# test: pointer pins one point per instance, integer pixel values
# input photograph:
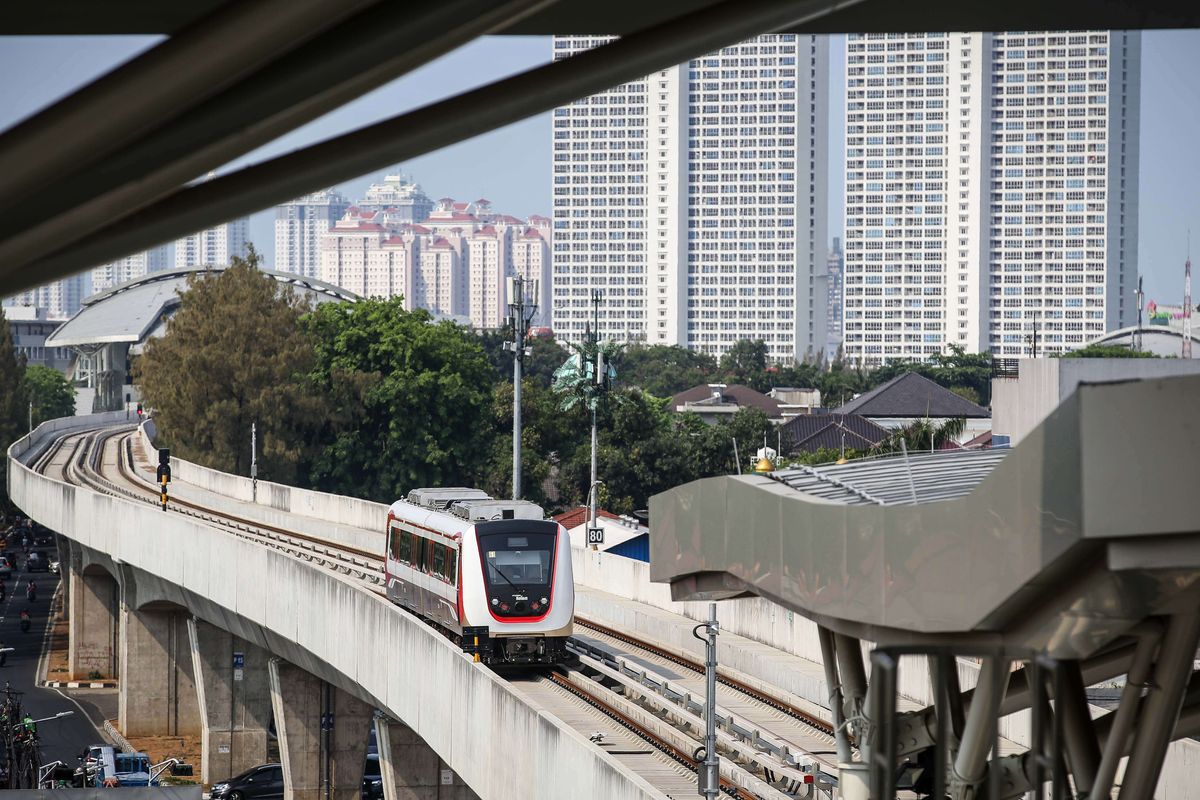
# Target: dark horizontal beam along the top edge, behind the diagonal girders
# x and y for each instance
(623, 17)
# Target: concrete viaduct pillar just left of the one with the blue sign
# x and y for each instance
(158, 691)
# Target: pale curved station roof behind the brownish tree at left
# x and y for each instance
(133, 312)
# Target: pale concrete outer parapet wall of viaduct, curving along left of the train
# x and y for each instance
(343, 633)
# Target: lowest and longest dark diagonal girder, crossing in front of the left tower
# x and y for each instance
(422, 131)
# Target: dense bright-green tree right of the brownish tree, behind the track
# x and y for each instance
(411, 399)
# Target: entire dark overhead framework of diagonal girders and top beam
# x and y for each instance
(123, 151)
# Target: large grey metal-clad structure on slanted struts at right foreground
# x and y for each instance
(1076, 555)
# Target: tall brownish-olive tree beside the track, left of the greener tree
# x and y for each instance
(235, 356)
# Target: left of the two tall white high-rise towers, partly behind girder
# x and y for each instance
(695, 201)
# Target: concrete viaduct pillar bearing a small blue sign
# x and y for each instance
(235, 701)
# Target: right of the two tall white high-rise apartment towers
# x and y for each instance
(992, 191)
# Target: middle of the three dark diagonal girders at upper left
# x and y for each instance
(363, 53)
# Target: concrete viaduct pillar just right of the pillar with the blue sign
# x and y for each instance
(319, 759)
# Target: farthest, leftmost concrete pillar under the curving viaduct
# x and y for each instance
(93, 613)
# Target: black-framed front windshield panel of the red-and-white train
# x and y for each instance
(518, 569)
